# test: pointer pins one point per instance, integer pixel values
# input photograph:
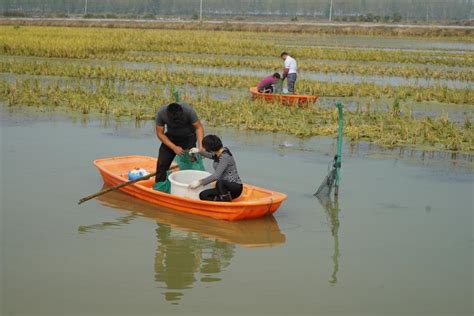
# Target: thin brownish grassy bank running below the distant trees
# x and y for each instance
(452, 34)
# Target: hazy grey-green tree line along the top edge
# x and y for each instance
(344, 10)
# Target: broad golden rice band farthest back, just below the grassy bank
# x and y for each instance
(106, 43)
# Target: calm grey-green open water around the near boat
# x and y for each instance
(399, 241)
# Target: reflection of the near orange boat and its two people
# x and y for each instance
(190, 248)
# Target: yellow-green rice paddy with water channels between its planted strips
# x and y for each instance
(418, 95)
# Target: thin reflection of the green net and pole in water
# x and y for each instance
(332, 210)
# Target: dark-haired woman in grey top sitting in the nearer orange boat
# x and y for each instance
(228, 183)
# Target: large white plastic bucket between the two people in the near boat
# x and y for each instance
(181, 179)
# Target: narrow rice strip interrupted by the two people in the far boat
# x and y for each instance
(160, 75)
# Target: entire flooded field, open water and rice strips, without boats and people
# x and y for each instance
(399, 241)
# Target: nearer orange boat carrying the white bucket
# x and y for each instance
(254, 201)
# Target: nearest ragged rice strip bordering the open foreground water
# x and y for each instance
(391, 128)
